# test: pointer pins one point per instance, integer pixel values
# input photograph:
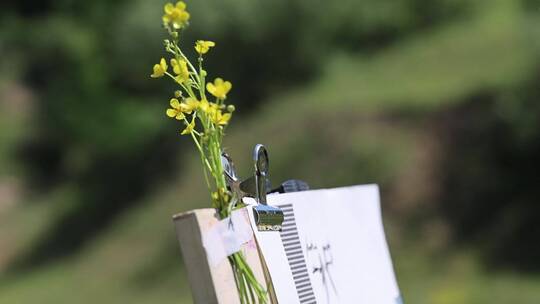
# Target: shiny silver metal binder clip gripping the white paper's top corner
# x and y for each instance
(267, 218)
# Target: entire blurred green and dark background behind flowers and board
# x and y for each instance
(435, 100)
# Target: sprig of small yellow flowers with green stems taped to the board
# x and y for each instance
(205, 121)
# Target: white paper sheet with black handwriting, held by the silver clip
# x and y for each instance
(332, 248)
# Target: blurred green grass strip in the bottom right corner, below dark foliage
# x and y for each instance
(458, 278)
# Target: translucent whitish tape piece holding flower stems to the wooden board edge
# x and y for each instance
(227, 237)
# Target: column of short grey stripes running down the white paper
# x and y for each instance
(297, 262)
